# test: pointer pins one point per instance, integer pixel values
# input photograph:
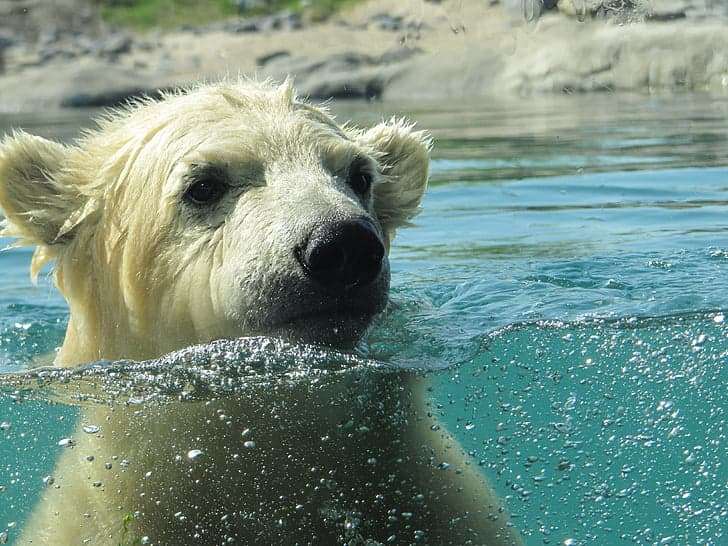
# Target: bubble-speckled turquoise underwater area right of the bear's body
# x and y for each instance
(602, 431)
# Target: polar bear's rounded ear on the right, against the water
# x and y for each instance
(404, 156)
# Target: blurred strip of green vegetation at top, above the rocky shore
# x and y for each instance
(166, 14)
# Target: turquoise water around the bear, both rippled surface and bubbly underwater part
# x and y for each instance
(567, 286)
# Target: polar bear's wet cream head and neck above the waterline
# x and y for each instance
(226, 210)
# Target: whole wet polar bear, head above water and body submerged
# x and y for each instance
(227, 210)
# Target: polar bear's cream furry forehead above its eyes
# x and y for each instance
(245, 132)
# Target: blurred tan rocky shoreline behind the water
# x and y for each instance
(413, 49)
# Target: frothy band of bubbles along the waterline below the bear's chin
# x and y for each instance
(223, 367)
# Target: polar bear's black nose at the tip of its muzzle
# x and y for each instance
(343, 254)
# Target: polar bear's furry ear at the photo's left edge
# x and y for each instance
(35, 205)
